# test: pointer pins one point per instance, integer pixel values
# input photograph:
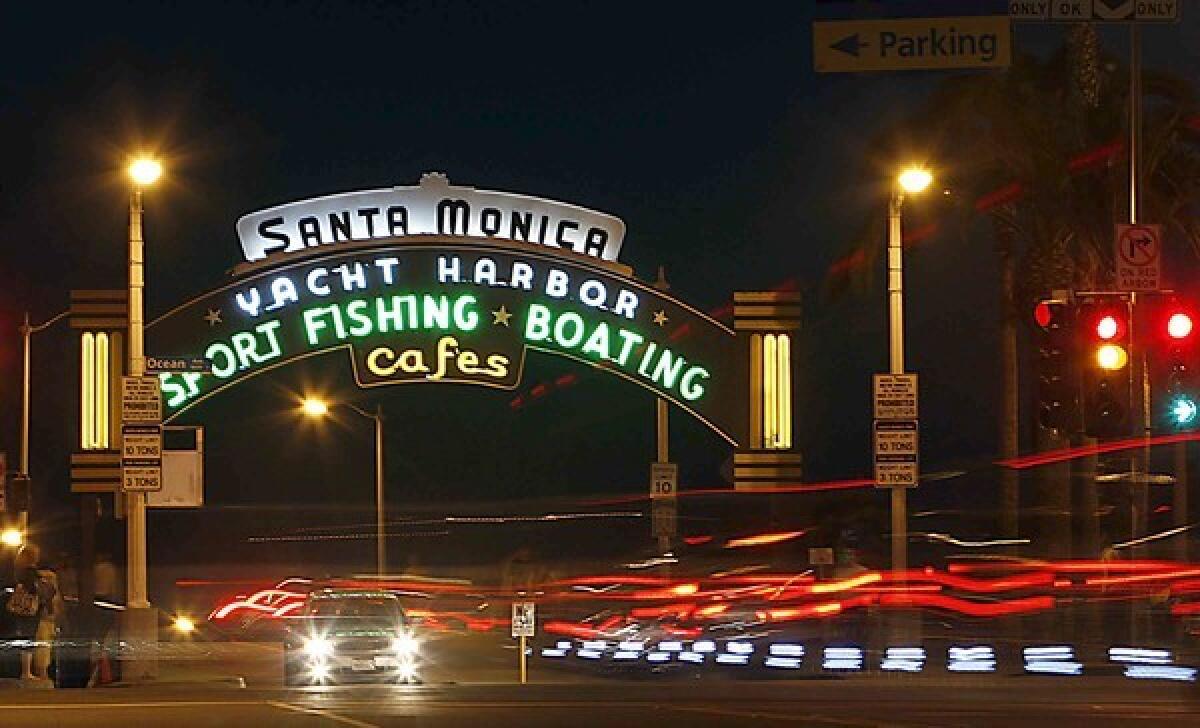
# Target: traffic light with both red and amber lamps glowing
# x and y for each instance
(1105, 362)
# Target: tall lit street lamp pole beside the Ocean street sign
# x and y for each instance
(143, 173)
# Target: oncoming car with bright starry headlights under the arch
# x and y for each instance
(351, 636)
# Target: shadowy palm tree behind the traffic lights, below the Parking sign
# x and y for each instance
(1048, 169)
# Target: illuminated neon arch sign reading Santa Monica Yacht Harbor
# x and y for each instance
(459, 294)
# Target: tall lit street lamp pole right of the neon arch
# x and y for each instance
(913, 181)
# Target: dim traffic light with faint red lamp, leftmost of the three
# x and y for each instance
(1058, 389)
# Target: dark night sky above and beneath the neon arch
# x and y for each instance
(703, 127)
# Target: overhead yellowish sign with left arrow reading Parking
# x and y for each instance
(913, 44)
